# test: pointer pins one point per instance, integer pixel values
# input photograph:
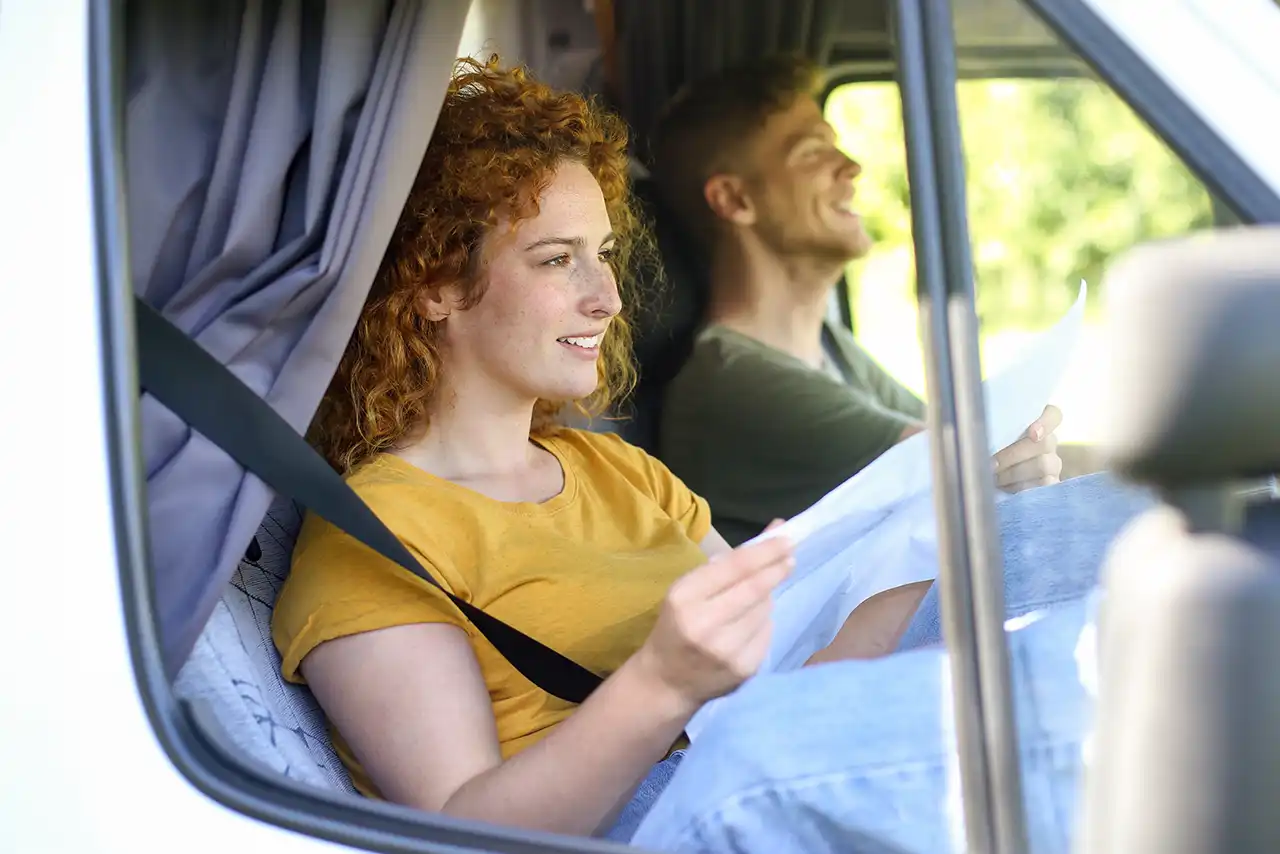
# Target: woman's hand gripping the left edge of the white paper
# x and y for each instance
(715, 625)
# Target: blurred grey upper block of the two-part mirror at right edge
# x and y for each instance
(1194, 334)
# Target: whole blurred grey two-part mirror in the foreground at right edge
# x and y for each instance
(1186, 756)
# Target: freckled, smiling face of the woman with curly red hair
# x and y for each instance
(548, 300)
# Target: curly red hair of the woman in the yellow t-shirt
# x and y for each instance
(497, 143)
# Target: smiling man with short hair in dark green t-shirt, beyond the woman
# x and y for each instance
(775, 407)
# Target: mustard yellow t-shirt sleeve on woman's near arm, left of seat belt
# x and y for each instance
(339, 587)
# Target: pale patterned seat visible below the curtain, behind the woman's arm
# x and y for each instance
(236, 670)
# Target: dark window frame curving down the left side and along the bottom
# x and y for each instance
(196, 748)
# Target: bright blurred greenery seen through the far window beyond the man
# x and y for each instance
(1062, 177)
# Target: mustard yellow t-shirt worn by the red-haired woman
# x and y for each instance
(584, 573)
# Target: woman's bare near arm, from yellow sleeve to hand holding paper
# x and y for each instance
(413, 705)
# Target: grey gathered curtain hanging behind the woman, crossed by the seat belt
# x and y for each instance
(269, 149)
